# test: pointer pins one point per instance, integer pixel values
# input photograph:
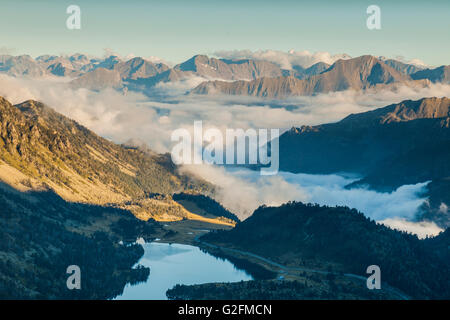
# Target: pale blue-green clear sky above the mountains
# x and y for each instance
(176, 30)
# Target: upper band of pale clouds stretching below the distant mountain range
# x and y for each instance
(134, 116)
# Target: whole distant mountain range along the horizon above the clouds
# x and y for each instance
(227, 76)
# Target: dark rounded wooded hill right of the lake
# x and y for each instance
(294, 233)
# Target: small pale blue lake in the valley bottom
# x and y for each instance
(179, 264)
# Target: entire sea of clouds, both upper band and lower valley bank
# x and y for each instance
(136, 116)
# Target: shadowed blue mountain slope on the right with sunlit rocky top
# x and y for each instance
(404, 143)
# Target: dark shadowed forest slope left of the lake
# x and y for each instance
(41, 235)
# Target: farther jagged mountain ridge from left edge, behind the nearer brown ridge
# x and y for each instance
(140, 68)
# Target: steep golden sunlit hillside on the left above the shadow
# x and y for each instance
(43, 150)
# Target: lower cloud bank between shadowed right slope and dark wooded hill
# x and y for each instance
(243, 190)
